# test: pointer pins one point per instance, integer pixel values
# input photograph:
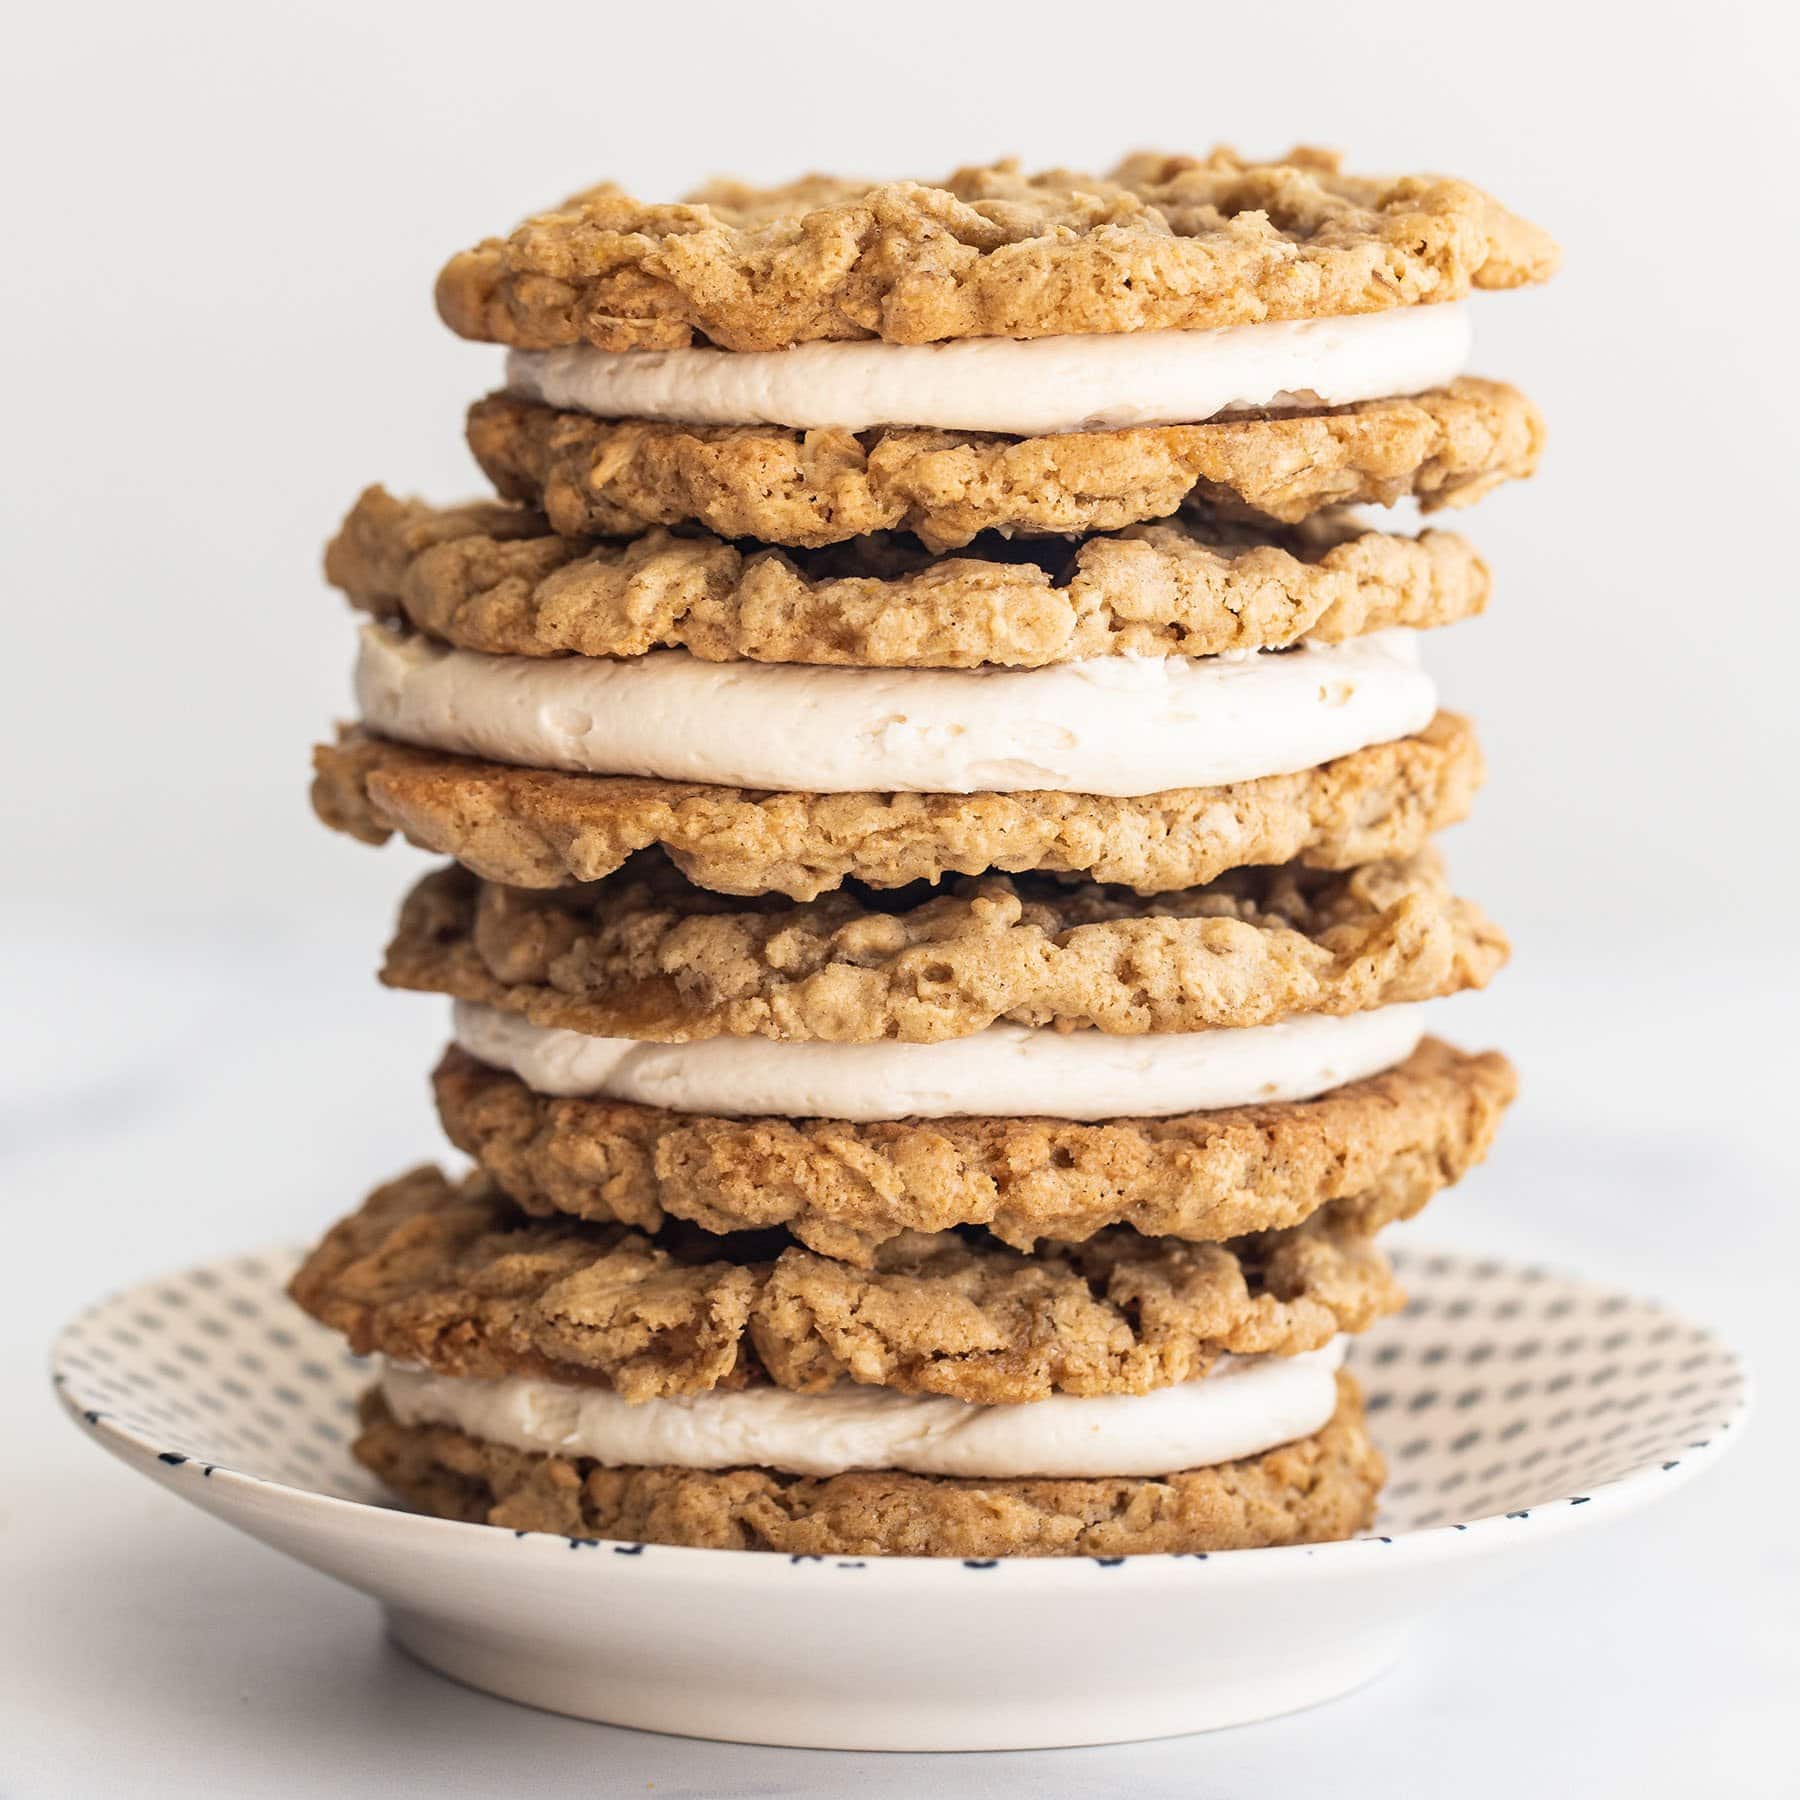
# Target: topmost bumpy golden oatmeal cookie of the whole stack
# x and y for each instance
(1162, 242)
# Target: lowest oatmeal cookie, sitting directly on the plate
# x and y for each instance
(1315, 1489)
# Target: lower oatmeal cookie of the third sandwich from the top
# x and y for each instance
(1372, 1153)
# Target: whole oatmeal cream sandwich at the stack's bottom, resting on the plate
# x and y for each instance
(955, 1398)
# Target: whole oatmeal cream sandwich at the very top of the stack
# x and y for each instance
(1054, 354)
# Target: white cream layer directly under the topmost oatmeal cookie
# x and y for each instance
(1023, 388)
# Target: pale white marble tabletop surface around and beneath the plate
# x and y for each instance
(172, 1097)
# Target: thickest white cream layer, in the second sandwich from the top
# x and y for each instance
(1102, 726)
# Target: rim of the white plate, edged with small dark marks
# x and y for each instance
(1495, 1531)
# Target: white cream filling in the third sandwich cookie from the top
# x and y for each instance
(1003, 1072)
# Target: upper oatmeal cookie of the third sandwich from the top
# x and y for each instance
(647, 955)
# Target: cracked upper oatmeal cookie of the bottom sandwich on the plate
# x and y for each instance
(458, 1281)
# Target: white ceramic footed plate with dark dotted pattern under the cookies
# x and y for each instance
(1513, 1407)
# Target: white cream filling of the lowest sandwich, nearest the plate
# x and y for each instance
(1241, 1408)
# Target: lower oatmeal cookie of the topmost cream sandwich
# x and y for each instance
(620, 478)
